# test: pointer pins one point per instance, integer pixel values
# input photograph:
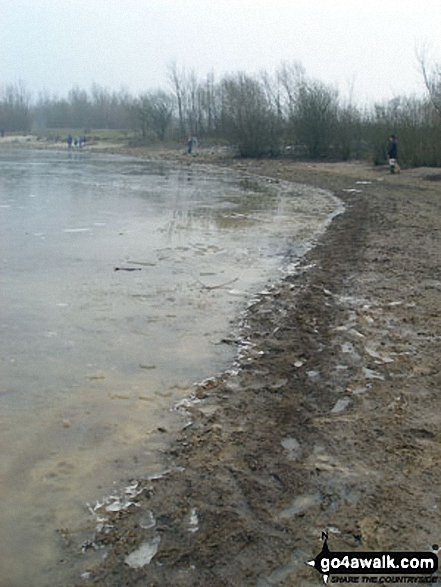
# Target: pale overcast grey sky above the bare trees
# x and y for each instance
(365, 44)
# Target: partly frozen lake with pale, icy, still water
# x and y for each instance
(121, 281)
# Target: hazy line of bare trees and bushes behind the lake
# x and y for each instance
(286, 112)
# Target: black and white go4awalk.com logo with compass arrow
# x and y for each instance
(388, 568)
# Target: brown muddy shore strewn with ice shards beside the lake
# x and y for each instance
(331, 419)
